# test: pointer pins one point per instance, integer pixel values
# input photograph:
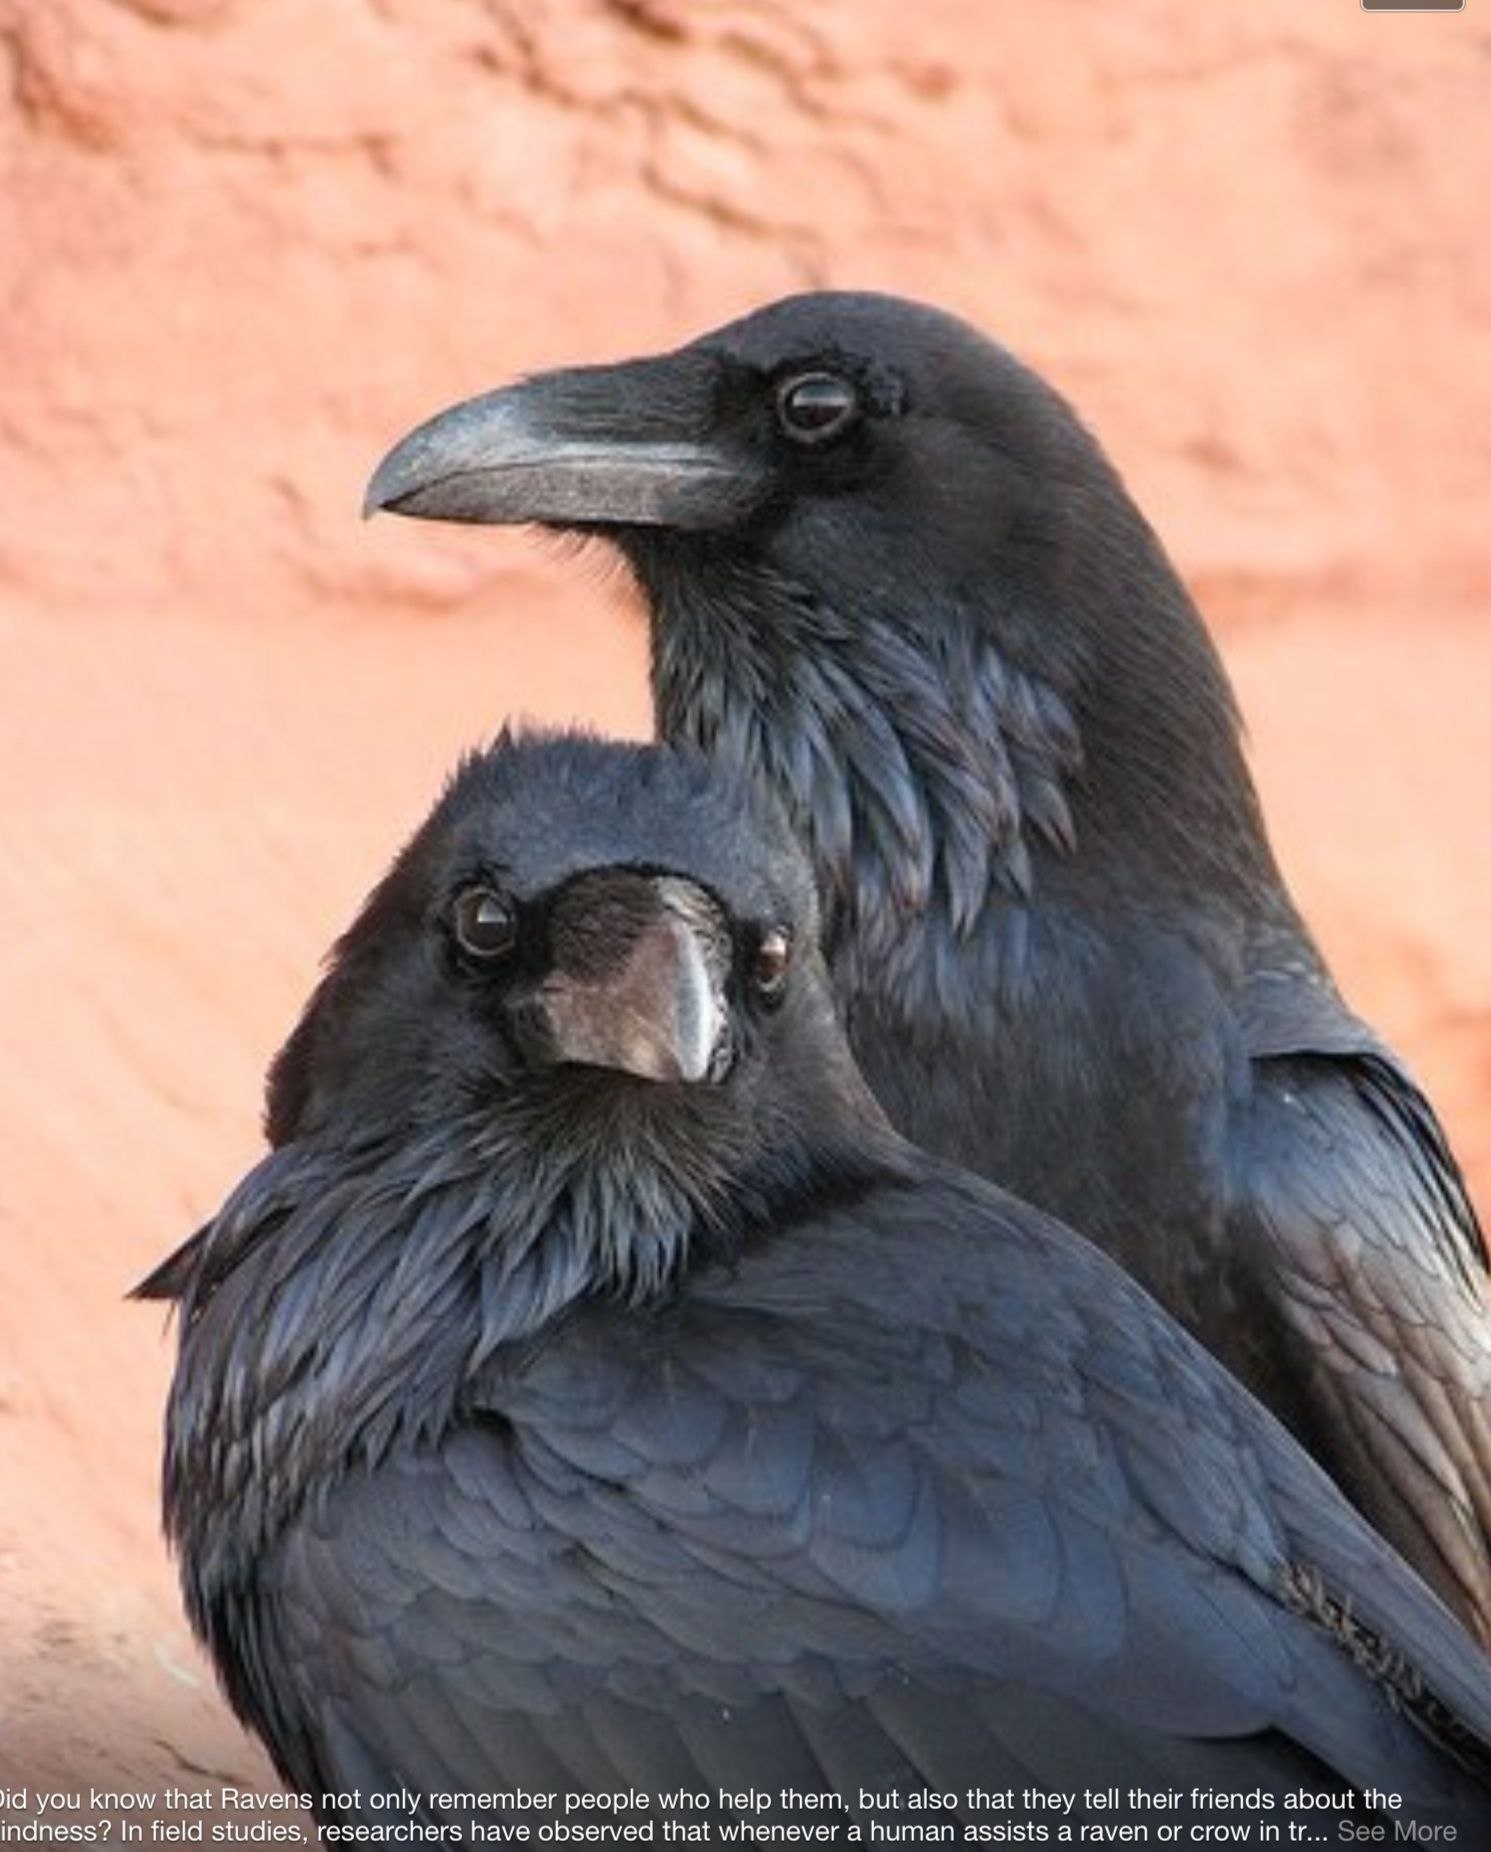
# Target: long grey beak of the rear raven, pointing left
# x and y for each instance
(629, 445)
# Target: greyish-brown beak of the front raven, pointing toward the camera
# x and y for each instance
(660, 1018)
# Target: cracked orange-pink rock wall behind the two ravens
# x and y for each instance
(244, 244)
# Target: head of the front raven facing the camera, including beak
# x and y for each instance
(599, 934)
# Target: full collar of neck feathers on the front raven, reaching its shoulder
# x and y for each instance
(347, 1301)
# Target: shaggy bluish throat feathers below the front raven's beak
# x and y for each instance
(377, 1303)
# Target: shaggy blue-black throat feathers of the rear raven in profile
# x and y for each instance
(921, 777)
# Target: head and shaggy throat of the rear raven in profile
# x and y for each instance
(888, 569)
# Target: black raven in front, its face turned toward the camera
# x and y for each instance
(592, 1395)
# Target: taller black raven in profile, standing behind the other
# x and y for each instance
(892, 573)
